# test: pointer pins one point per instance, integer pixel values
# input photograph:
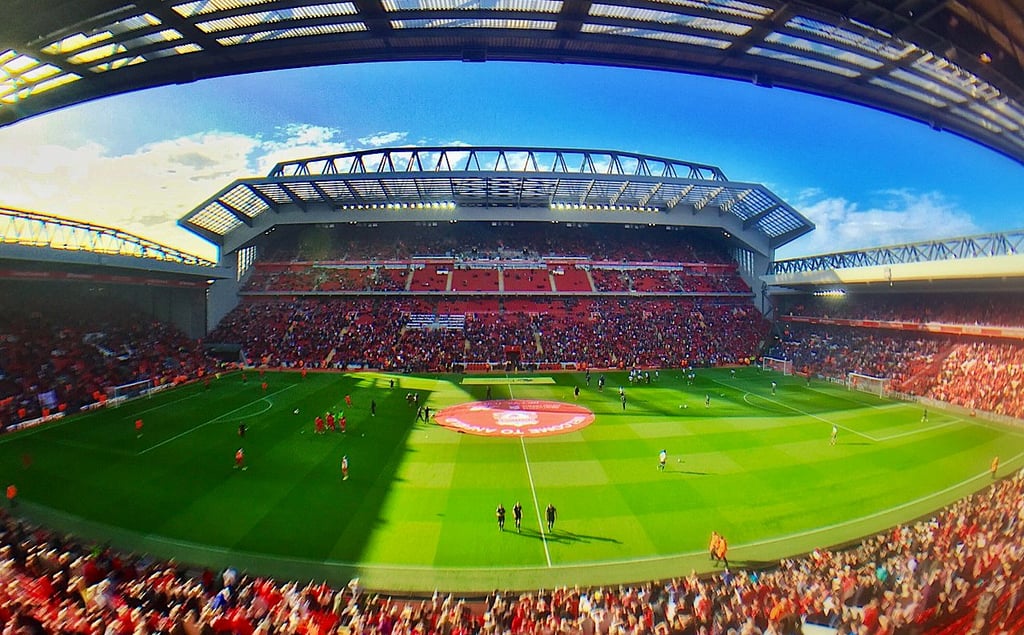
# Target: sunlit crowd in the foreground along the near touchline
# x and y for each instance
(960, 572)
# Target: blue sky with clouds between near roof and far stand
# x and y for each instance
(141, 161)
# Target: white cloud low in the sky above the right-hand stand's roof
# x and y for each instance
(900, 217)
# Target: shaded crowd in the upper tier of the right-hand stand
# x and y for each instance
(1002, 310)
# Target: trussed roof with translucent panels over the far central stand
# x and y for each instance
(452, 184)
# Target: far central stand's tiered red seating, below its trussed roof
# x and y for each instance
(536, 295)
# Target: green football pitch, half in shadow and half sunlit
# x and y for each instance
(417, 513)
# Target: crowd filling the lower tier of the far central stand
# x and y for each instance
(596, 332)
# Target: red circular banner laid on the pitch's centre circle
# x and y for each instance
(516, 418)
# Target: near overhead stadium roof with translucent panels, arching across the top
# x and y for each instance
(956, 65)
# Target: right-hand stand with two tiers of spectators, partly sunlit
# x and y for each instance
(979, 369)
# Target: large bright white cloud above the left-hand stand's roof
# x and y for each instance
(145, 191)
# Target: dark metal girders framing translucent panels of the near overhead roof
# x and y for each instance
(383, 43)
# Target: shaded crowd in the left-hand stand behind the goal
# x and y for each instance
(62, 352)
